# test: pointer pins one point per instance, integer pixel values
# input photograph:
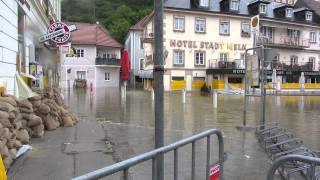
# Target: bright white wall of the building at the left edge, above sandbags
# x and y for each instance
(8, 42)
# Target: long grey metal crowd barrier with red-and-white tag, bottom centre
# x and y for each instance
(125, 165)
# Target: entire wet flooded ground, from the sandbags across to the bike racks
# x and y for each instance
(129, 128)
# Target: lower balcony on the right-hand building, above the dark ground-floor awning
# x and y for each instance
(308, 66)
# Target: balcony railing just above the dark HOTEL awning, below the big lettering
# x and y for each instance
(226, 64)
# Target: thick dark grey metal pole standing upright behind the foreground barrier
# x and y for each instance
(158, 75)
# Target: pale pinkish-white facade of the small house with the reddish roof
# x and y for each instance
(86, 67)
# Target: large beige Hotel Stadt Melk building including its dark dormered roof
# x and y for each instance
(205, 40)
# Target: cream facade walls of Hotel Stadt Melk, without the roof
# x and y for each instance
(230, 47)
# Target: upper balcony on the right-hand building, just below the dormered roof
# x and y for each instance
(283, 42)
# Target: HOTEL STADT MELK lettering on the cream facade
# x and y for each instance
(207, 45)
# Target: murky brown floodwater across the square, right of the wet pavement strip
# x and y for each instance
(129, 125)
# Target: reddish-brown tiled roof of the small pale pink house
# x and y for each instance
(93, 34)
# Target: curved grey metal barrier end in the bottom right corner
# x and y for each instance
(312, 161)
